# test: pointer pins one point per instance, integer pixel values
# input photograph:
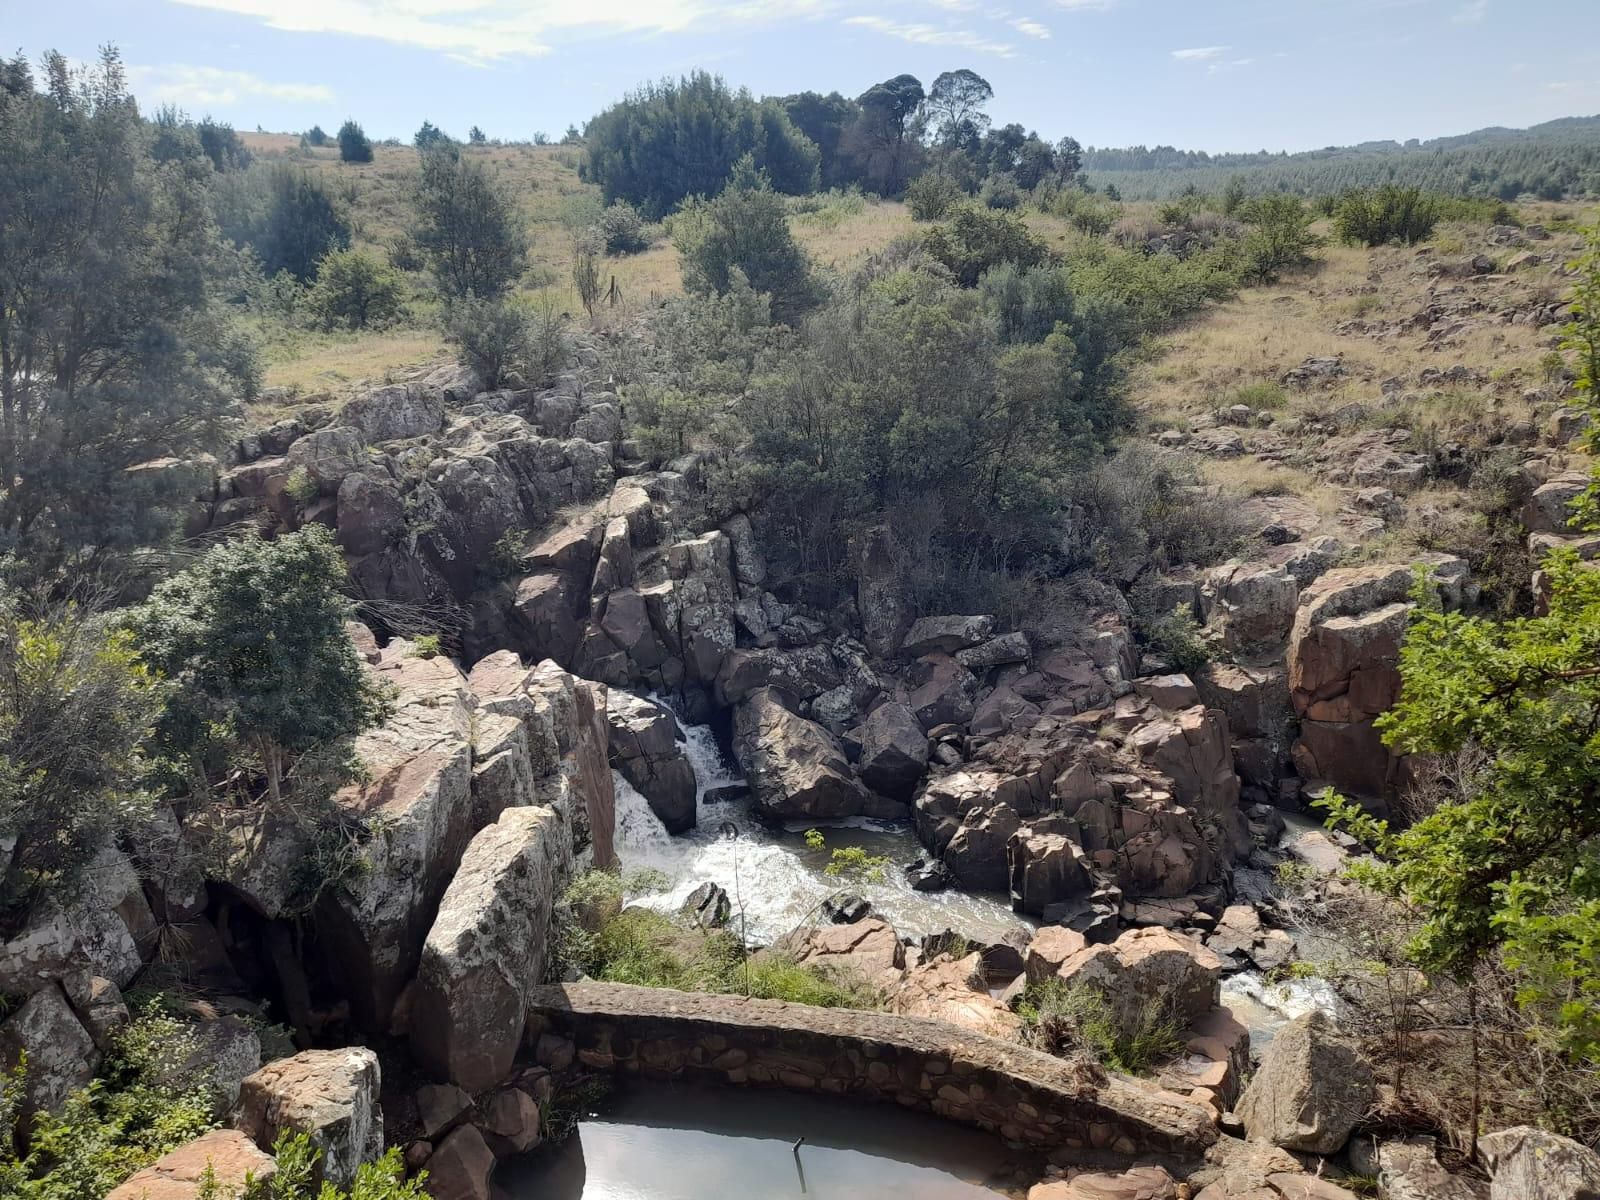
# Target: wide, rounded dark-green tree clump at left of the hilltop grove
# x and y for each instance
(674, 140)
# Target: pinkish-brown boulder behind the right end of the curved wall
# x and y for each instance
(1145, 967)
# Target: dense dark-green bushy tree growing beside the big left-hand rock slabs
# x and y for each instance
(254, 642)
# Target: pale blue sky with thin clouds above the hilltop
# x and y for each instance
(1198, 74)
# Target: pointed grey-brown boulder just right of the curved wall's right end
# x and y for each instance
(1311, 1090)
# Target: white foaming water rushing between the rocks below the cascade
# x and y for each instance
(774, 876)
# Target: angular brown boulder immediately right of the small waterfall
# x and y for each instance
(796, 769)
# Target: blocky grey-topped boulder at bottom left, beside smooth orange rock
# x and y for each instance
(330, 1097)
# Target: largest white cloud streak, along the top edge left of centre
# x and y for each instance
(489, 31)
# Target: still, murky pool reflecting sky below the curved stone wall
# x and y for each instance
(658, 1142)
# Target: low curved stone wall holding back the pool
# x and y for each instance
(1070, 1110)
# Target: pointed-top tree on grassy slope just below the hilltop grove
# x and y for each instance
(745, 233)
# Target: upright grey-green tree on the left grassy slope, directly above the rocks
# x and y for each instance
(468, 226)
